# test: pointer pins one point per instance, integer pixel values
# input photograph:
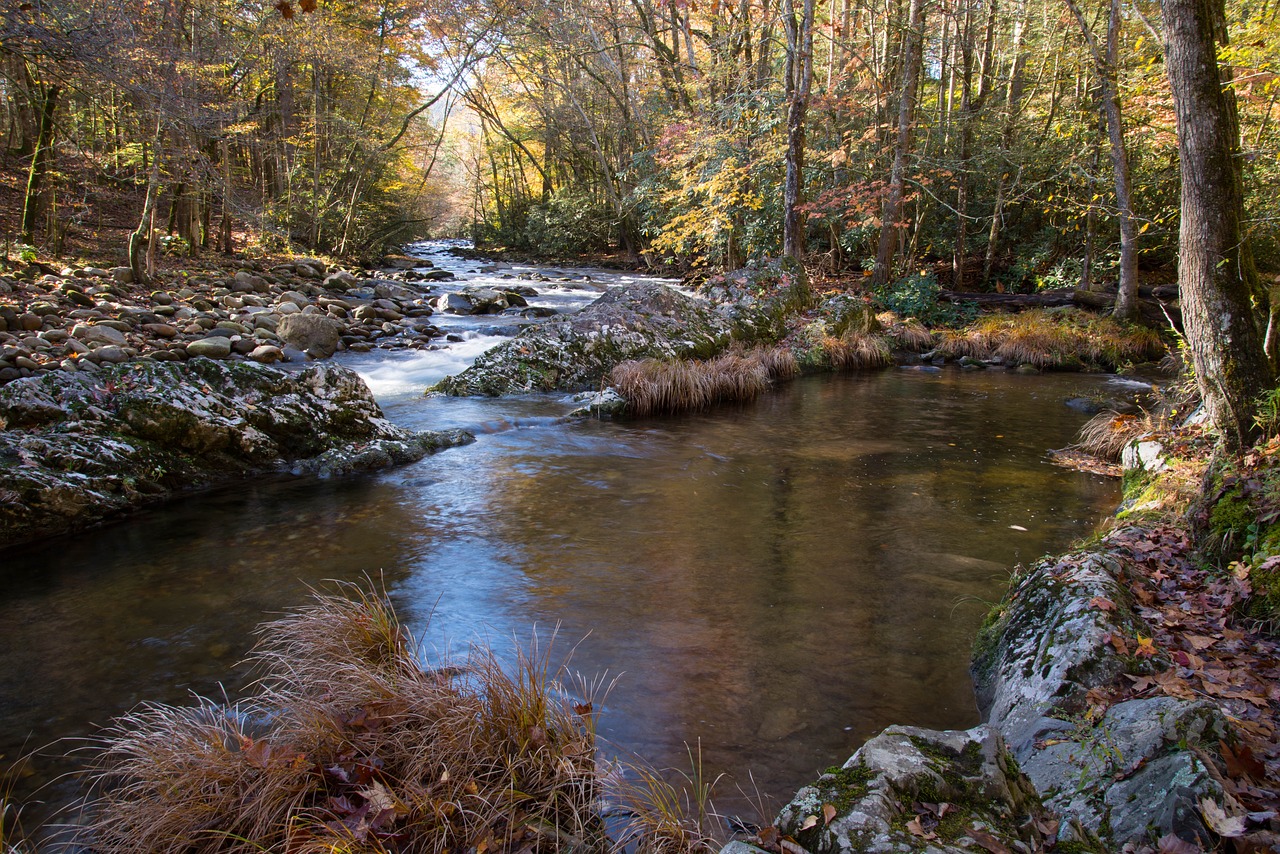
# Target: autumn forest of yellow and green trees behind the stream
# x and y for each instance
(982, 140)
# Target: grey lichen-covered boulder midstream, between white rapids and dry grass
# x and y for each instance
(577, 353)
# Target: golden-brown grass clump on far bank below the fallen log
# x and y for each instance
(1055, 340)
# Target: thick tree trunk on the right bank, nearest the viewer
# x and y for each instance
(1215, 272)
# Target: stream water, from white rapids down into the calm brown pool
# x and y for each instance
(775, 582)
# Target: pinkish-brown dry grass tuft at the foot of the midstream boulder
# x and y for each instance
(656, 386)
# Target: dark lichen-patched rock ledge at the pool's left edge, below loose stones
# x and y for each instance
(79, 449)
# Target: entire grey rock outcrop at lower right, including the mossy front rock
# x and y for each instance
(1052, 764)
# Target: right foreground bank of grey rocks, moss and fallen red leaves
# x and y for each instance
(1128, 691)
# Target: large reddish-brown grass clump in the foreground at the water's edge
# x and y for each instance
(351, 745)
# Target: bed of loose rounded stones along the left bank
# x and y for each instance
(86, 317)
